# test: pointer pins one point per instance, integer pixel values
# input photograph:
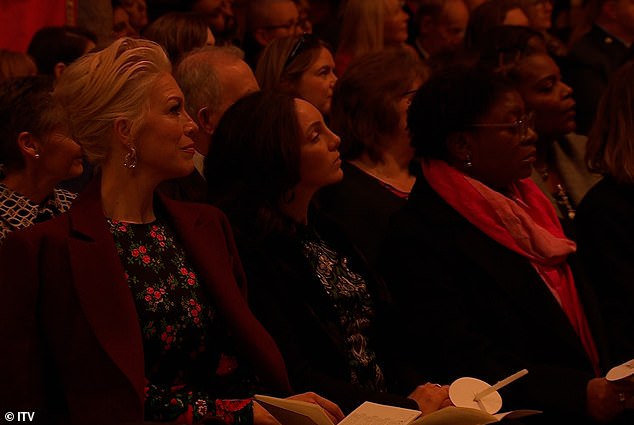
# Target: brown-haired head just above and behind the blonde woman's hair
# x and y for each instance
(179, 33)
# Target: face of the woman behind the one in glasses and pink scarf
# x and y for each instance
(548, 96)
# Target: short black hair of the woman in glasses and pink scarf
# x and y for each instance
(451, 101)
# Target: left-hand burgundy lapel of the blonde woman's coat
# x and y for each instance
(104, 295)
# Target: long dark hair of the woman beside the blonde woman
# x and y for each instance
(254, 162)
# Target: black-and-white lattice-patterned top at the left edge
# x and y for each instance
(17, 211)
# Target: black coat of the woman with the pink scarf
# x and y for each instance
(481, 310)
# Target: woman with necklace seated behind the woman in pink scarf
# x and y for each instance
(559, 169)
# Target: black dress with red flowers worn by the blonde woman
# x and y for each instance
(189, 358)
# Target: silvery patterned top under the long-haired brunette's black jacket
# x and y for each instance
(349, 294)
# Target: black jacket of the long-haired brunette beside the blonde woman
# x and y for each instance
(289, 300)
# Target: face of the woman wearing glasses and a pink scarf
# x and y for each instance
(499, 153)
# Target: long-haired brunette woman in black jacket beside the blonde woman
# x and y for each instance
(307, 284)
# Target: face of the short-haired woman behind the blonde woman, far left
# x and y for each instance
(60, 157)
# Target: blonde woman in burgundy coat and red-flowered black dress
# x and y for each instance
(136, 297)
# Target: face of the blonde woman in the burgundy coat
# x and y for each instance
(163, 144)
